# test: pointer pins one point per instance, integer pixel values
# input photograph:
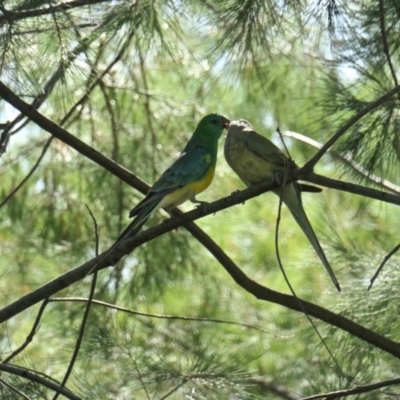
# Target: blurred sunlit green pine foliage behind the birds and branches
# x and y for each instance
(144, 73)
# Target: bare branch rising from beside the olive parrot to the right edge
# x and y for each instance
(375, 104)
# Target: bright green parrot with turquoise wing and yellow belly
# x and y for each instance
(188, 176)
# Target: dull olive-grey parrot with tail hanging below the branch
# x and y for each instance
(255, 159)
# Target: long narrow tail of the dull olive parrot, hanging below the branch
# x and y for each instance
(291, 197)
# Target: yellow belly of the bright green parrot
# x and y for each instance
(188, 191)
